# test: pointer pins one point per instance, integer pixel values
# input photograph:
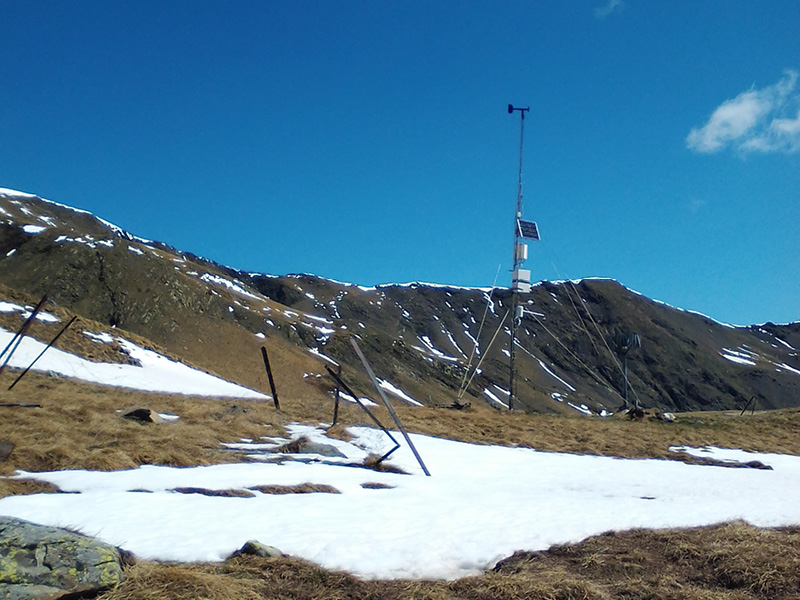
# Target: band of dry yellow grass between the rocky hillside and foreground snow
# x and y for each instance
(79, 426)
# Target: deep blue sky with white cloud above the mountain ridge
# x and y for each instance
(369, 141)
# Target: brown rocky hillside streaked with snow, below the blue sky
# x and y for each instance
(419, 337)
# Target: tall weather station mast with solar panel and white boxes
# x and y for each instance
(520, 278)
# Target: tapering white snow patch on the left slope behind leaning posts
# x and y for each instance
(155, 373)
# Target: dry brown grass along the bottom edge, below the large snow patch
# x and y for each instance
(727, 562)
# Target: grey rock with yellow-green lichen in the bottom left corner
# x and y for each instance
(38, 561)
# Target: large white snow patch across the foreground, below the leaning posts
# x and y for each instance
(480, 504)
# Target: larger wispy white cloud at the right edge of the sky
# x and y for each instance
(754, 121)
